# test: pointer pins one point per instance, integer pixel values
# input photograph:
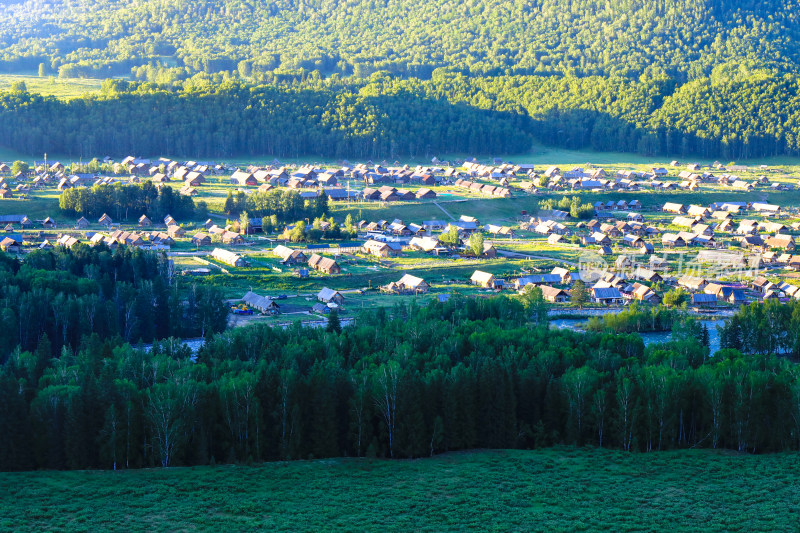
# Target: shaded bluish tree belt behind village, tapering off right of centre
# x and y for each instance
(322, 118)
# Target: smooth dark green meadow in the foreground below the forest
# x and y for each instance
(562, 489)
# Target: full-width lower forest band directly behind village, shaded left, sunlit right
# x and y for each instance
(734, 114)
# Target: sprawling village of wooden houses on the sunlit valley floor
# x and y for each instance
(705, 237)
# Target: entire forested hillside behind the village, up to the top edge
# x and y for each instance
(358, 79)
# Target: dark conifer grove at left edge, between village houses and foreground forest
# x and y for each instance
(59, 296)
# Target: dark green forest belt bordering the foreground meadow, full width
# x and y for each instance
(405, 382)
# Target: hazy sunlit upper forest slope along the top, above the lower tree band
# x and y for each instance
(255, 38)
